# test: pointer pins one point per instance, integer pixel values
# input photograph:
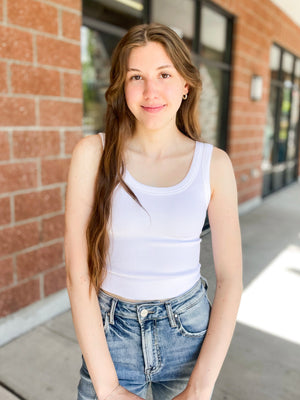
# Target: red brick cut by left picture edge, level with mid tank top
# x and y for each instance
(18, 238)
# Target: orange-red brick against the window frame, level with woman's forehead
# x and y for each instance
(58, 53)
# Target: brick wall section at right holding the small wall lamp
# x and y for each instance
(258, 25)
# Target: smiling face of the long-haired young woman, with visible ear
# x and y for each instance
(153, 88)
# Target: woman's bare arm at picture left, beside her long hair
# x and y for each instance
(85, 307)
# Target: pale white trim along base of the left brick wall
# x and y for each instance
(29, 317)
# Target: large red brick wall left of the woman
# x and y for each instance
(40, 122)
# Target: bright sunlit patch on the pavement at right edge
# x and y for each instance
(271, 302)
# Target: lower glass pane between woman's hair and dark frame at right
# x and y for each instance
(209, 106)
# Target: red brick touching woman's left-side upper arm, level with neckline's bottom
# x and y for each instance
(34, 204)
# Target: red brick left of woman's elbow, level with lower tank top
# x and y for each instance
(37, 261)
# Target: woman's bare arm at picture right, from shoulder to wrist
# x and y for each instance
(227, 254)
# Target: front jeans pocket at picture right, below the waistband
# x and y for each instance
(193, 322)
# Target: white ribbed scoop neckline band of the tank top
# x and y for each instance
(167, 189)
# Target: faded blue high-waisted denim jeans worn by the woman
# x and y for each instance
(153, 343)
